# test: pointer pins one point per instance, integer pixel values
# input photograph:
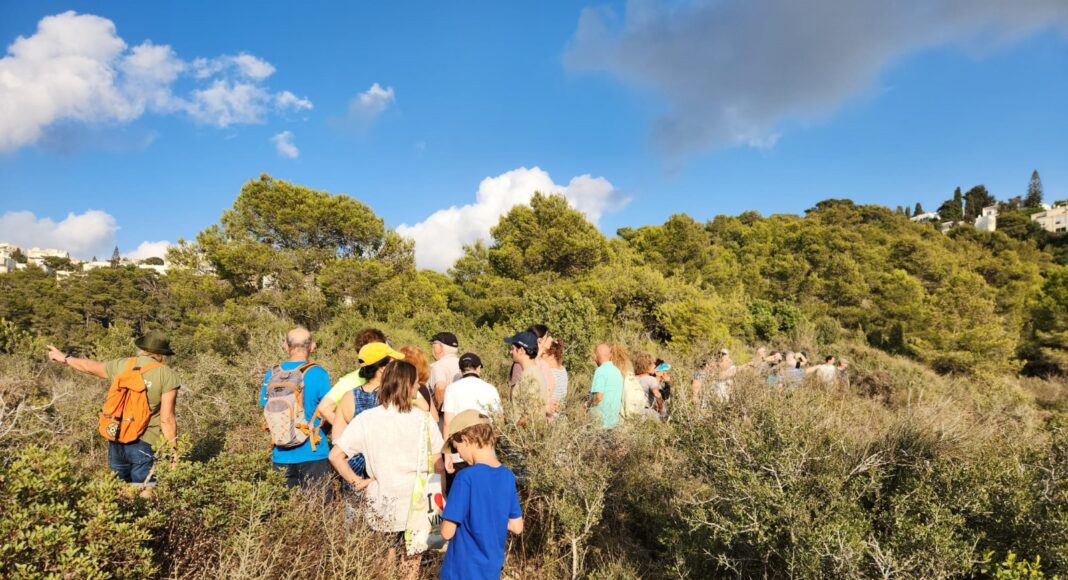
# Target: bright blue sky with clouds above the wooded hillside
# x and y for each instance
(681, 107)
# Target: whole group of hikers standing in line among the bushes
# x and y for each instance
(414, 441)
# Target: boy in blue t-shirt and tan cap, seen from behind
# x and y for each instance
(482, 507)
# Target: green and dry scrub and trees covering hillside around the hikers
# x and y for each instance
(946, 456)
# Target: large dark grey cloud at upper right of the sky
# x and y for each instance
(731, 72)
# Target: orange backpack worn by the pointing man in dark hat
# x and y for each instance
(127, 412)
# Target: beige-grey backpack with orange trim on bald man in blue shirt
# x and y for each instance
(285, 411)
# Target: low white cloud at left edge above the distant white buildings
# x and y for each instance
(82, 236)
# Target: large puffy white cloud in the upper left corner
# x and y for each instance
(76, 69)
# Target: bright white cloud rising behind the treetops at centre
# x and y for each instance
(441, 239)
